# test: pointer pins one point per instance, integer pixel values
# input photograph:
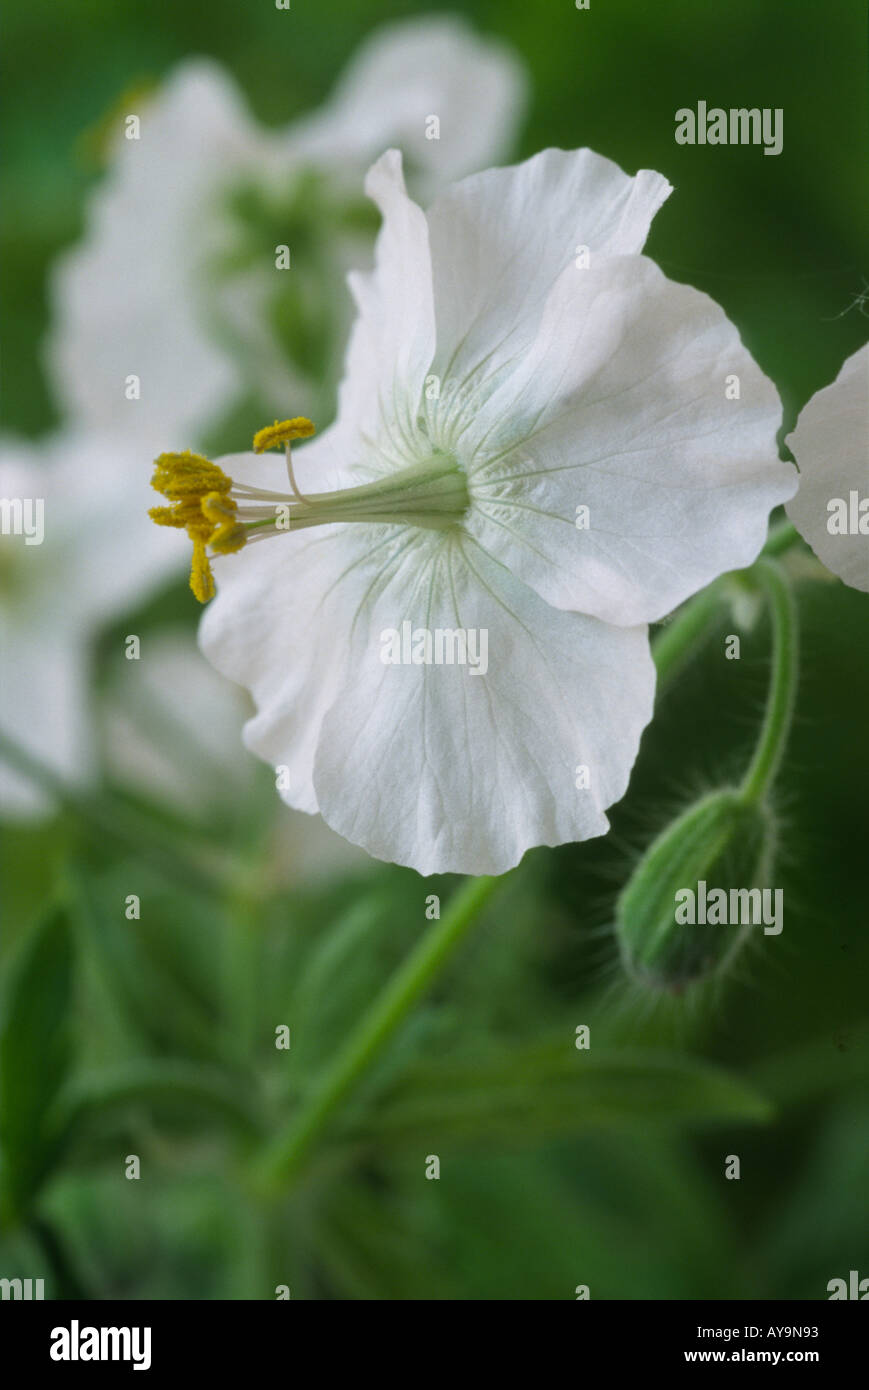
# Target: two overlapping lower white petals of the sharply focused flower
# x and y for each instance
(430, 767)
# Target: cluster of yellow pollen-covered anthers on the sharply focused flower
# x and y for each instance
(201, 502)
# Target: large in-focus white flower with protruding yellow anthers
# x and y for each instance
(494, 389)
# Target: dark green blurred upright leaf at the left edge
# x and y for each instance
(35, 1054)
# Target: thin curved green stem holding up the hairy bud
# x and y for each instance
(782, 686)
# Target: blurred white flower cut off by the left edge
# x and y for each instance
(77, 550)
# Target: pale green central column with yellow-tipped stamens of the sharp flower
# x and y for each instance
(222, 516)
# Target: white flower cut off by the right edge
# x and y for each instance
(832, 450)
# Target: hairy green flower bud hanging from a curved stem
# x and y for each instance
(667, 939)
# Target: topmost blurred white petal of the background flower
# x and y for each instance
(415, 70)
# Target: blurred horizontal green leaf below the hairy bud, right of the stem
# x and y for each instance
(551, 1089)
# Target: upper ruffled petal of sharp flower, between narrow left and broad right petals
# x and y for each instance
(503, 238)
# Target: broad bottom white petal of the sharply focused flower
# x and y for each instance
(446, 771)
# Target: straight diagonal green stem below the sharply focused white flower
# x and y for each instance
(287, 1152)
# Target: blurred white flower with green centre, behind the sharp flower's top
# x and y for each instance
(177, 279)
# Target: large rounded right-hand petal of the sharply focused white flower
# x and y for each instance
(621, 407)
